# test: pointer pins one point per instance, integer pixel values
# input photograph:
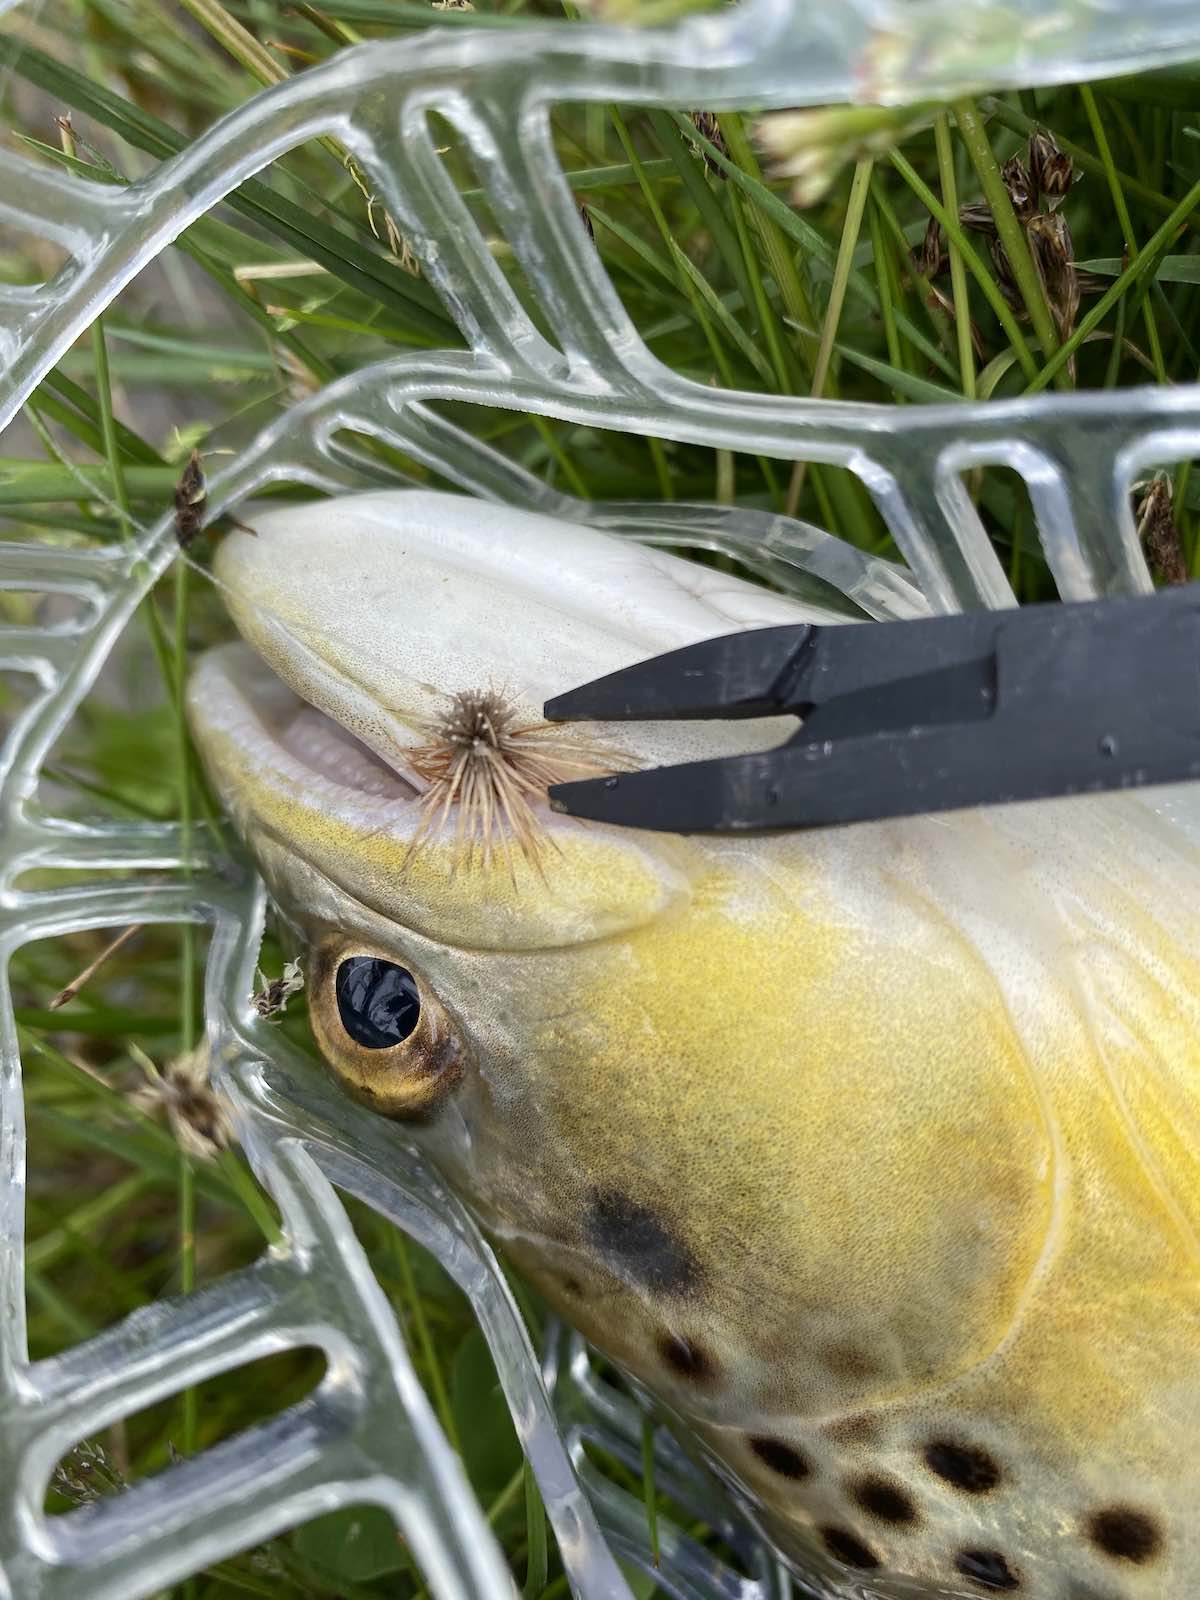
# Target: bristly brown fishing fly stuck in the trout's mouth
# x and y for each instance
(482, 764)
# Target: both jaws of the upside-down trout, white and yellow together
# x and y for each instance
(362, 618)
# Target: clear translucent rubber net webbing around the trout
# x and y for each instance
(369, 1434)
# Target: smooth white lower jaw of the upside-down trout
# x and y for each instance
(375, 609)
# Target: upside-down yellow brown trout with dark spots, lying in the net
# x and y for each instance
(870, 1151)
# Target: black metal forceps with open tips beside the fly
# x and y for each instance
(910, 718)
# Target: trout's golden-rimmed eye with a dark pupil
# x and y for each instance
(383, 1028)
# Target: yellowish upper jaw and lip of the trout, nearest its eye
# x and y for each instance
(306, 830)
